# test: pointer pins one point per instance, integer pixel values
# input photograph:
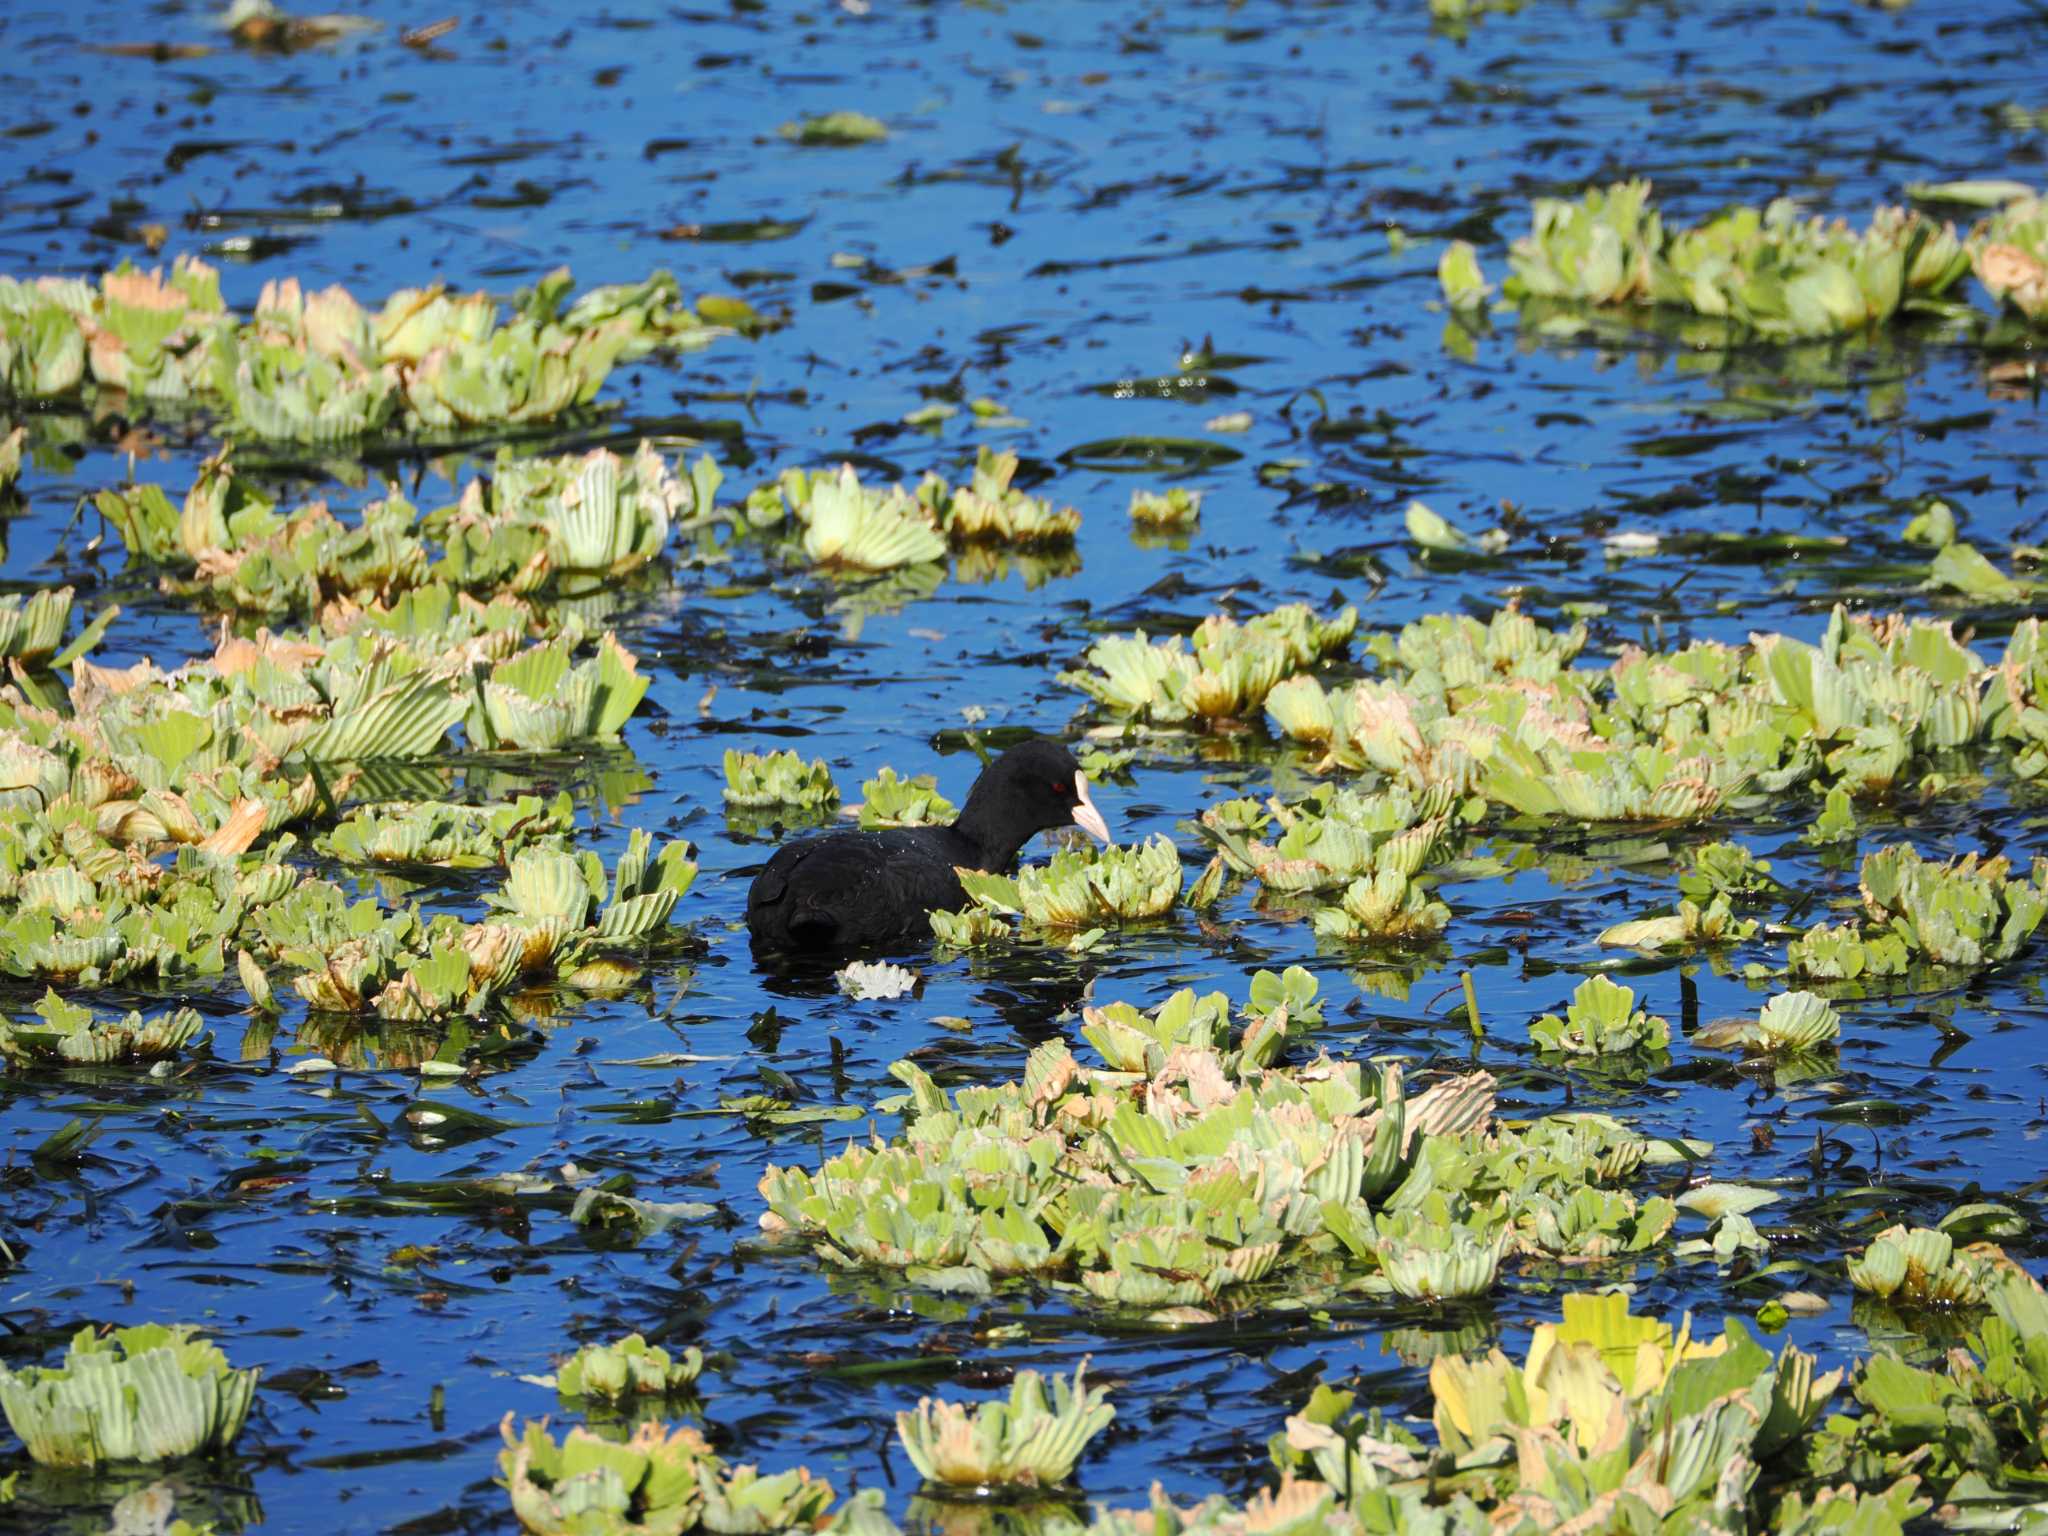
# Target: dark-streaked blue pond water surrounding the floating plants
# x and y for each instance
(1072, 202)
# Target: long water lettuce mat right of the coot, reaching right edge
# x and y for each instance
(1498, 712)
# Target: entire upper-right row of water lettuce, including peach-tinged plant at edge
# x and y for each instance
(1773, 271)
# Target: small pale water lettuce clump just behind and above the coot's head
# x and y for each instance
(1224, 671)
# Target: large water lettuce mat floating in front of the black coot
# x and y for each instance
(1207, 1166)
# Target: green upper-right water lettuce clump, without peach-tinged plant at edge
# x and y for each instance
(1766, 271)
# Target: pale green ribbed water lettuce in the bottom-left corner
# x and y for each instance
(144, 1394)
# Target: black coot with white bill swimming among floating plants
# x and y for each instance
(861, 890)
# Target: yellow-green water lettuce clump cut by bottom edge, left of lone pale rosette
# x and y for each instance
(654, 1482)
